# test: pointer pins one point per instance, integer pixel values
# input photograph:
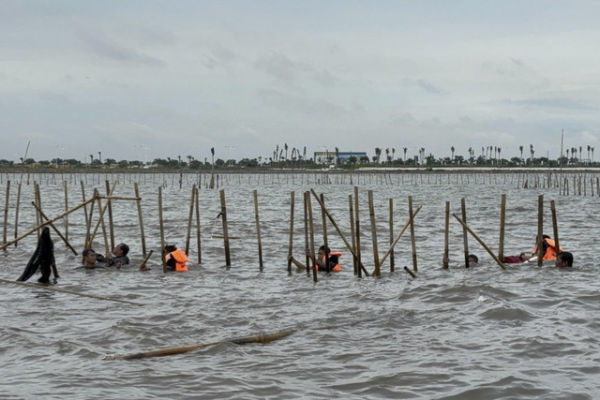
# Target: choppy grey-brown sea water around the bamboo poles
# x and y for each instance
(479, 333)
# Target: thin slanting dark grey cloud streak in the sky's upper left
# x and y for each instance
(107, 48)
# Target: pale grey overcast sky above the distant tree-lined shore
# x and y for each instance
(146, 79)
